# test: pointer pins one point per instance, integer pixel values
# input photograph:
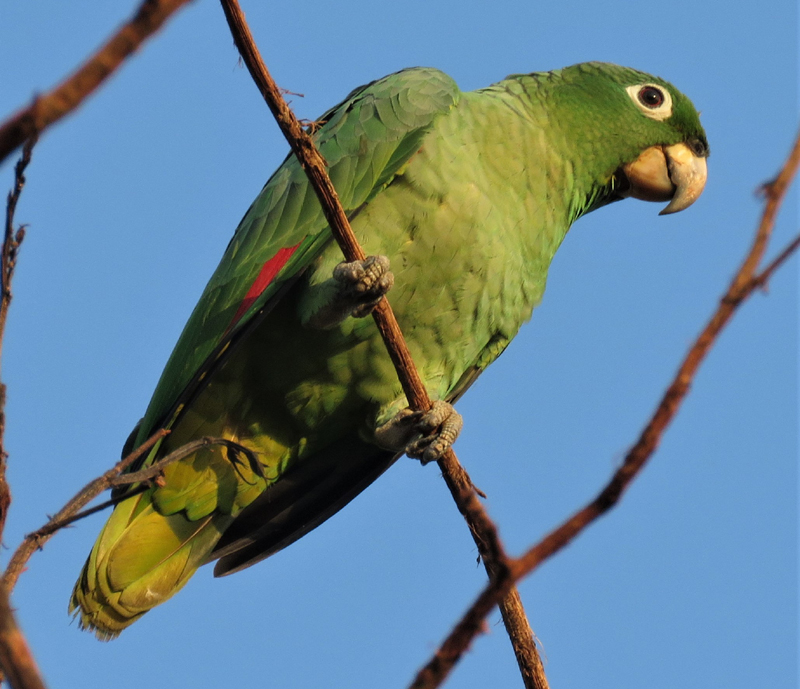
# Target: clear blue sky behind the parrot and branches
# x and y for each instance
(691, 582)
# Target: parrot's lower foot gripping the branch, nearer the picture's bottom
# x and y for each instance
(438, 427)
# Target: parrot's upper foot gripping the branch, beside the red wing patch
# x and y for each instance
(360, 286)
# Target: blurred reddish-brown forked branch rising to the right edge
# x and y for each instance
(744, 283)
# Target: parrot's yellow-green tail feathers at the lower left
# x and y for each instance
(141, 559)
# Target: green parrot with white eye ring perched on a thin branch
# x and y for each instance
(470, 195)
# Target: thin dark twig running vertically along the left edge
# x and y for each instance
(12, 238)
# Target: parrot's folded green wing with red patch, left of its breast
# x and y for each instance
(366, 140)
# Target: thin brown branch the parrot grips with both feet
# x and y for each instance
(481, 526)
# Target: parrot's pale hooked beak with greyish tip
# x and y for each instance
(667, 173)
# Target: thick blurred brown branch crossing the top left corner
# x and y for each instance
(52, 106)
